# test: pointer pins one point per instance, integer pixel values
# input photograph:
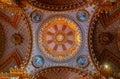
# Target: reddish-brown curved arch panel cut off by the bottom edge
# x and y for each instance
(60, 72)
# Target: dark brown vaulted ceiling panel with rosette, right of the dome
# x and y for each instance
(104, 39)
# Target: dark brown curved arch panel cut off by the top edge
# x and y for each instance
(58, 5)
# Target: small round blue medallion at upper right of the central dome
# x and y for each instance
(82, 15)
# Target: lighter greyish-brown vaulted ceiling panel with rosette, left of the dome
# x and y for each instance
(18, 39)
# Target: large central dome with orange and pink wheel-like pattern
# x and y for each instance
(59, 39)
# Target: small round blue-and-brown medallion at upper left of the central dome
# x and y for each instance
(36, 16)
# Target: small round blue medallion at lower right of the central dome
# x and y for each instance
(82, 61)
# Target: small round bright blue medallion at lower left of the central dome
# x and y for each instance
(37, 61)
